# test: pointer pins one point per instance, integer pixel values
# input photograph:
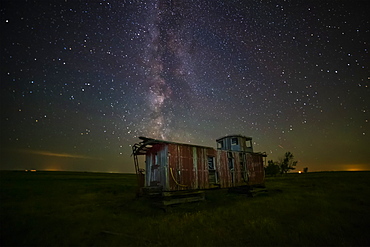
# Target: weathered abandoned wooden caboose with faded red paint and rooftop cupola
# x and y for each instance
(174, 167)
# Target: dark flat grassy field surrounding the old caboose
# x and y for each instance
(67, 208)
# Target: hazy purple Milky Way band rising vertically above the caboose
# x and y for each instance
(169, 66)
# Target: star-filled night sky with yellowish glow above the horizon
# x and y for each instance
(82, 79)
